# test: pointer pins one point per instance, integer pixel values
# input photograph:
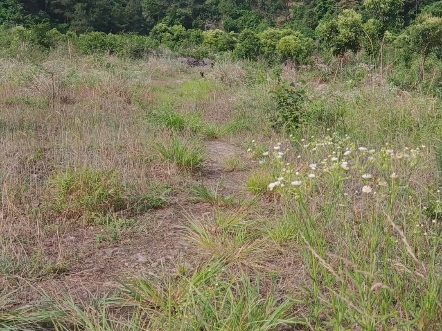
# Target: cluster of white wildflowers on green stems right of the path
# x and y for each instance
(345, 159)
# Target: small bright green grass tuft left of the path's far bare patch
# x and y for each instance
(185, 153)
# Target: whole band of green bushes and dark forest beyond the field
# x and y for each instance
(383, 33)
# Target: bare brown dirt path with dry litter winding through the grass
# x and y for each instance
(161, 249)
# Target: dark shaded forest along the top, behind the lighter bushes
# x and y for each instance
(140, 16)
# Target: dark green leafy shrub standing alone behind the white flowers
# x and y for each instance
(291, 107)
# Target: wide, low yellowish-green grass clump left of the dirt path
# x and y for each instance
(81, 192)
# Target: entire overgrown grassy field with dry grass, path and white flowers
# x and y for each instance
(137, 195)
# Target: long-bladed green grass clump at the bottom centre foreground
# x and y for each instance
(209, 300)
